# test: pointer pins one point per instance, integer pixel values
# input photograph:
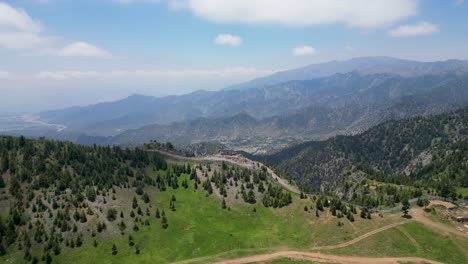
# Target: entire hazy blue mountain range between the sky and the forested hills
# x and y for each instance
(315, 102)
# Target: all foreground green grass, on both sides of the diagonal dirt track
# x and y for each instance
(200, 228)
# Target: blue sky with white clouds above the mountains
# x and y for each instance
(58, 53)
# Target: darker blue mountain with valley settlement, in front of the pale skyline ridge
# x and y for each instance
(314, 109)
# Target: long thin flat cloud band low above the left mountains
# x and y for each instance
(232, 72)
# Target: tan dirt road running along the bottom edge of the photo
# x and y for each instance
(324, 258)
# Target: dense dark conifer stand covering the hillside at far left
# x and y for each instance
(51, 186)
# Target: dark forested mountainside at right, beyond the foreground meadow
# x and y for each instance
(424, 151)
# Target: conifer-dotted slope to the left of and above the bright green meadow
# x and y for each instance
(57, 195)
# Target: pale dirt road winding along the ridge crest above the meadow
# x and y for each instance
(235, 160)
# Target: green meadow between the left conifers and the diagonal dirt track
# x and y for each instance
(200, 228)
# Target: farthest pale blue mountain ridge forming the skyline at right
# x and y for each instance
(363, 66)
